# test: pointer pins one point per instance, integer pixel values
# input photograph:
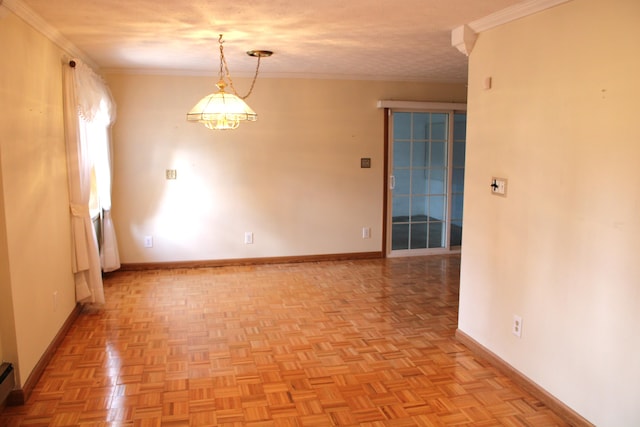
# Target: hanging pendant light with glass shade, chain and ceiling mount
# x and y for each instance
(223, 110)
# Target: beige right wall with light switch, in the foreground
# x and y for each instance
(561, 250)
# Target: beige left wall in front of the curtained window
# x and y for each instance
(34, 241)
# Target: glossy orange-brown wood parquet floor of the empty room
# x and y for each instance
(368, 342)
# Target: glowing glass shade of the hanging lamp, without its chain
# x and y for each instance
(221, 110)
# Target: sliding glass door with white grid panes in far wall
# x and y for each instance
(426, 182)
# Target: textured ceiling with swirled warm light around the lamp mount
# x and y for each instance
(370, 39)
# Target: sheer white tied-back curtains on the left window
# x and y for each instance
(88, 111)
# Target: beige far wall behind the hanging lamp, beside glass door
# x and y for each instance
(293, 178)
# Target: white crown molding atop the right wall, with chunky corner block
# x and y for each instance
(463, 37)
